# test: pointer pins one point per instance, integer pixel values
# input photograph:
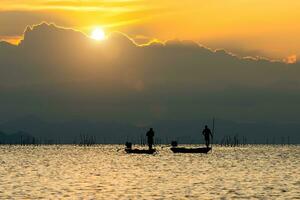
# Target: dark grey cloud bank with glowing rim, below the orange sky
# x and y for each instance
(59, 83)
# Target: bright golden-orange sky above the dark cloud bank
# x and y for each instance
(265, 28)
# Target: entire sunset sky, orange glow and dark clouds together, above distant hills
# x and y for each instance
(235, 61)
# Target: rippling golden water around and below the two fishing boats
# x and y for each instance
(106, 172)
